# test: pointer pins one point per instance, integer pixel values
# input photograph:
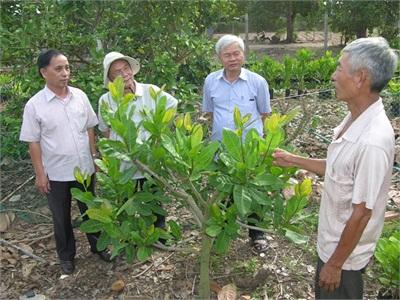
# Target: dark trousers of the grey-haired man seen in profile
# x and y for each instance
(351, 285)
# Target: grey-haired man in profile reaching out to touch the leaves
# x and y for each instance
(357, 170)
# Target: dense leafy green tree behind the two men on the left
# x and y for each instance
(167, 37)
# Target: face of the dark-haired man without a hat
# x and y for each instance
(57, 72)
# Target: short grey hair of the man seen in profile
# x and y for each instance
(375, 55)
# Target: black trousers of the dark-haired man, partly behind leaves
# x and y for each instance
(59, 200)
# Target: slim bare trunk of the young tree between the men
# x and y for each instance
(204, 286)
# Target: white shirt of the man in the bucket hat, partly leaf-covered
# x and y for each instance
(142, 101)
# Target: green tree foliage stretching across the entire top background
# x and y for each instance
(169, 38)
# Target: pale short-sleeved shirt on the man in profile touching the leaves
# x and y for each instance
(358, 169)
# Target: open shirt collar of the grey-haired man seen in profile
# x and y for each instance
(357, 128)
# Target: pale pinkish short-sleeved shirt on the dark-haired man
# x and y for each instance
(60, 126)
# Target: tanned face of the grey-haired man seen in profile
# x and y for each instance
(343, 80)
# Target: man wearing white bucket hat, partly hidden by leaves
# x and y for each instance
(116, 64)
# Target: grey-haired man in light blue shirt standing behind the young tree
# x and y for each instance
(234, 86)
